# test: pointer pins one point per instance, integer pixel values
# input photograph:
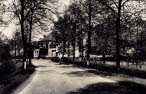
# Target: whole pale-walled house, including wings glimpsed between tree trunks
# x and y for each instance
(49, 47)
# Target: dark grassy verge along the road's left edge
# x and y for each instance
(13, 81)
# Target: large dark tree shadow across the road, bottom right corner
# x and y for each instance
(124, 87)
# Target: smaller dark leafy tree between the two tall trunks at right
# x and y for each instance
(103, 32)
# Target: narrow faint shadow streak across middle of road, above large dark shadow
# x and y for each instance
(80, 74)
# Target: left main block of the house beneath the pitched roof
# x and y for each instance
(45, 48)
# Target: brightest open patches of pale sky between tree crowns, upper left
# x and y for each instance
(8, 30)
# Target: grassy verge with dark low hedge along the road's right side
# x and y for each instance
(110, 71)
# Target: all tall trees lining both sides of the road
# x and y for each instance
(97, 26)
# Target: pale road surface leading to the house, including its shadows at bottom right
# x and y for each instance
(54, 78)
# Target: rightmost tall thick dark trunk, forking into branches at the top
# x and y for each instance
(116, 8)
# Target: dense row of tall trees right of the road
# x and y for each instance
(109, 27)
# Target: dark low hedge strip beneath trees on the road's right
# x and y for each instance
(111, 70)
